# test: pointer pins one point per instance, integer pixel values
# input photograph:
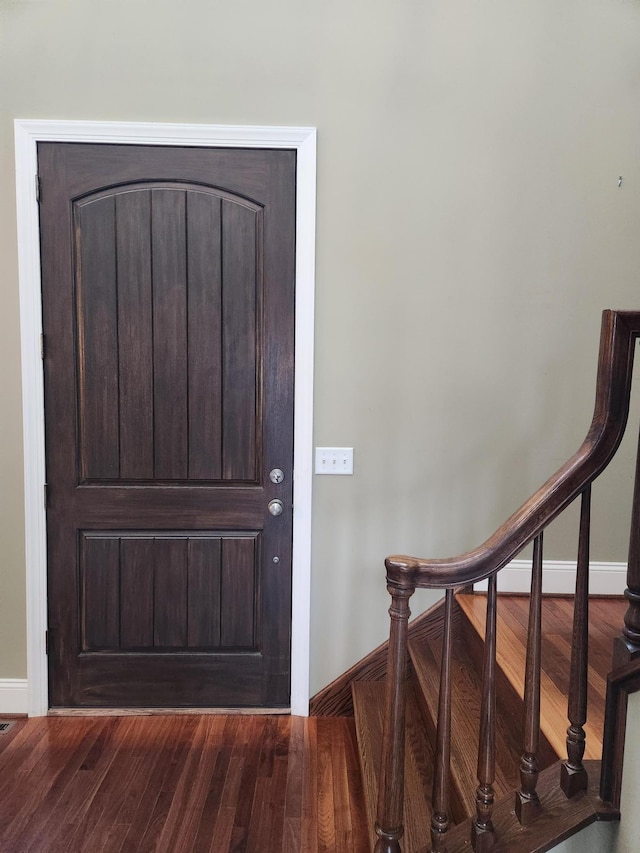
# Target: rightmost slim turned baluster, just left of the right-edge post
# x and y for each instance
(573, 776)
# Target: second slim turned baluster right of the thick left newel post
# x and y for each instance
(482, 833)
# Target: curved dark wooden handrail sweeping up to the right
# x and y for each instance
(615, 363)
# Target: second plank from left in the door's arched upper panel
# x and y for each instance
(135, 334)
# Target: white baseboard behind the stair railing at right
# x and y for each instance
(559, 576)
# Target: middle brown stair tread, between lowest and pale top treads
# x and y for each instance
(466, 697)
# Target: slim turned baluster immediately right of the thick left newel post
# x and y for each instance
(440, 799)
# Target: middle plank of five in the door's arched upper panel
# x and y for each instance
(168, 234)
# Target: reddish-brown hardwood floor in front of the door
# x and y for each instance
(179, 784)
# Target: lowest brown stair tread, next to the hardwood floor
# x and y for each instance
(368, 705)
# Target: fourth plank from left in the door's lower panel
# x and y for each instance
(204, 592)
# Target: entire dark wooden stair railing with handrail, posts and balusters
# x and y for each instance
(619, 332)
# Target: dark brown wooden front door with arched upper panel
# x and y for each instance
(168, 315)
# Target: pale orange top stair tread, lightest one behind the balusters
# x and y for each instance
(511, 655)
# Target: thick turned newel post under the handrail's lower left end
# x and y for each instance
(389, 822)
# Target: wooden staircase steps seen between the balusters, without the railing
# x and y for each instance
(563, 816)
